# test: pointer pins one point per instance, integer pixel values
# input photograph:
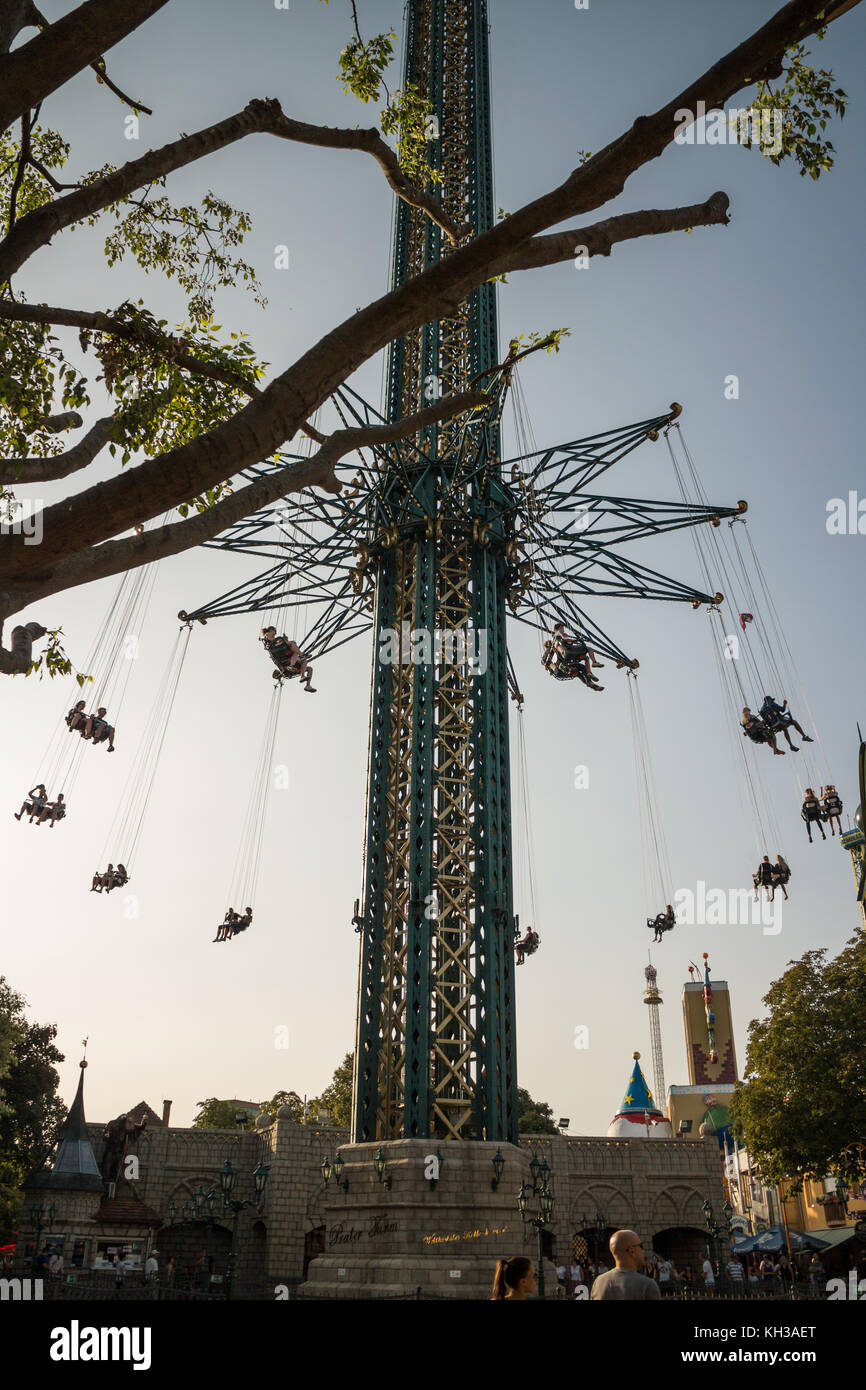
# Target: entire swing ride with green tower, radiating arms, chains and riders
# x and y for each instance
(433, 544)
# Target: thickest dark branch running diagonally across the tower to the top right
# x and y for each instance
(263, 426)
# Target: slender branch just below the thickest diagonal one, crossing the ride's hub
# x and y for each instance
(117, 557)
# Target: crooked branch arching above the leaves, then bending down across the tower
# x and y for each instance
(256, 119)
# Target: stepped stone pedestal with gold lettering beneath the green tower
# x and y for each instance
(419, 1239)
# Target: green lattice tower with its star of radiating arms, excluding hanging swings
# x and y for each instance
(432, 543)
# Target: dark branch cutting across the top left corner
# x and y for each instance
(62, 51)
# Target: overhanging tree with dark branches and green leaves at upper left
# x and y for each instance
(199, 408)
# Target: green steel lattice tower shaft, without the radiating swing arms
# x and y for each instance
(436, 1031)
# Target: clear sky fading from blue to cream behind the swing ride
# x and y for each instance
(776, 298)
